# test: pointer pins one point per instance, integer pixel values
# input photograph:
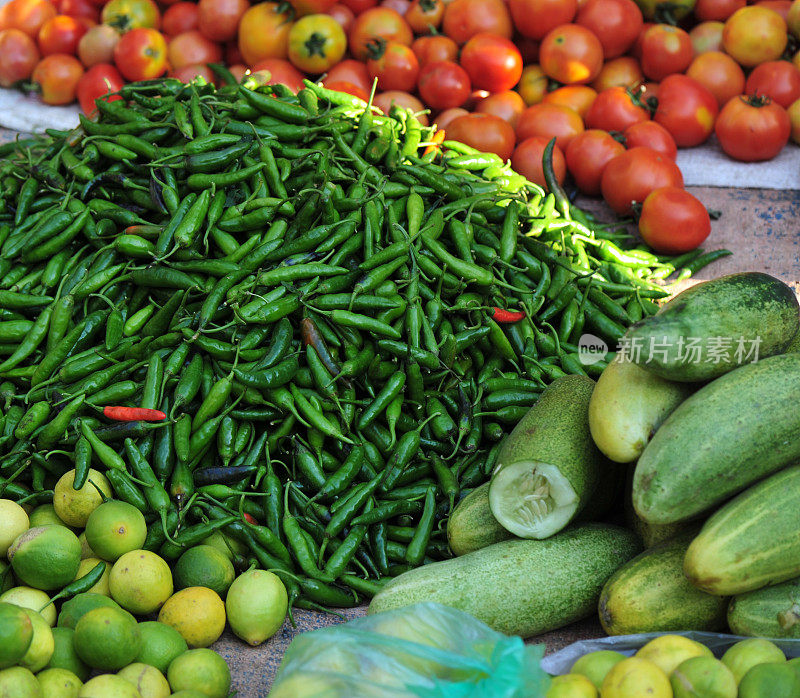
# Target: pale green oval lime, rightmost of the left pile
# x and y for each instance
(256, 605)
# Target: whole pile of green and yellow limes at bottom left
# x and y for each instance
(138, 626)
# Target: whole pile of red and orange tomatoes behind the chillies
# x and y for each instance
(620, 84)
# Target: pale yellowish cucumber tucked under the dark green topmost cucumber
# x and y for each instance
(627, 407)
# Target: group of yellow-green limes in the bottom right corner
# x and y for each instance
(674, 666)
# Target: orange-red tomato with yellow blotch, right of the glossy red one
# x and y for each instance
(571, 54)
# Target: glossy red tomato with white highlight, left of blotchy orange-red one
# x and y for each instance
(492, 62)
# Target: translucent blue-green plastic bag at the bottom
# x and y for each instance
(426, 650)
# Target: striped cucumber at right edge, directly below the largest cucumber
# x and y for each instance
(752, 541)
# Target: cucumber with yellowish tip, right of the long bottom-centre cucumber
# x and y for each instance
(651, 594)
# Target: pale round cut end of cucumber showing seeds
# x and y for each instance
(532, 499)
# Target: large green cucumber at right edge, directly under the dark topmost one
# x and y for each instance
(732, 432)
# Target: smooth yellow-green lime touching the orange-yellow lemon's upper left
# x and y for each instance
(140, 581)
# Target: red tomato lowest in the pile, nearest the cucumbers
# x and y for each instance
(673, 221)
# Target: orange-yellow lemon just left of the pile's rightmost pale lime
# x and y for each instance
(197, 613)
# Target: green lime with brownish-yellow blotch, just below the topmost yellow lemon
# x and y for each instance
(115, 528)
